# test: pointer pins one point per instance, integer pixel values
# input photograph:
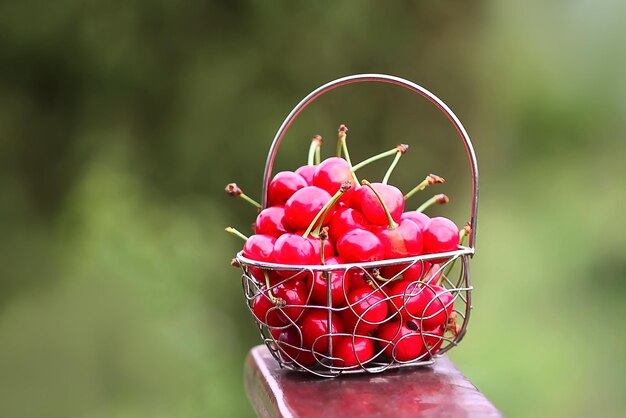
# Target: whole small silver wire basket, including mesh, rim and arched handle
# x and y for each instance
(423, 319)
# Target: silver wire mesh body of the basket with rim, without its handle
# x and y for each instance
(448, 284)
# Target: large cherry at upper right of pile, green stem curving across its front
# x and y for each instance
(372, 208)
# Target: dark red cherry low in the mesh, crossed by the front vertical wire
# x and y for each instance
(315, 332)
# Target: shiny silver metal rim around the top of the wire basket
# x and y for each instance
(462, 250)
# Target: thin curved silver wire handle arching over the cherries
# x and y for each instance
(381, 78)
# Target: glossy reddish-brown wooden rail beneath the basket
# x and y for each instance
(440, 390)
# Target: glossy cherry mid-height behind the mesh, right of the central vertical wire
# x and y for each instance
(367, 309)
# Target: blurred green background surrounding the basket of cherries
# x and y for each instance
(121, 122)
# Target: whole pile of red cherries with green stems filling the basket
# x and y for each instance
(322, 215)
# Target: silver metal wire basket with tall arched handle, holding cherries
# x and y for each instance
(318, 357)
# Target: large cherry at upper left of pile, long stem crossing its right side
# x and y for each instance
(303, 205)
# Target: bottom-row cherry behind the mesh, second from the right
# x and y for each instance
(402, 340)
